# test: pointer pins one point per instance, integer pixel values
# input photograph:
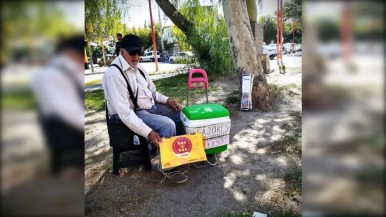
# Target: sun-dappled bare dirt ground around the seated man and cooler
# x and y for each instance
(250, 175)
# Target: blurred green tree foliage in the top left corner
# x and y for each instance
(30, 30)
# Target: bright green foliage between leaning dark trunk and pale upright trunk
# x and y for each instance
(209, 39)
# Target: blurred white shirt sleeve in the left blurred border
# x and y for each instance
(57, 93)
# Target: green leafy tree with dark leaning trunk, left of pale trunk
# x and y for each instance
(207, 37)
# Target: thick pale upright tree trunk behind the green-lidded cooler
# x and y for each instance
(244, 52)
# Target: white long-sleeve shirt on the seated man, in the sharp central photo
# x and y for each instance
(118, 98)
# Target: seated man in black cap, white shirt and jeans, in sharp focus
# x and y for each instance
(156, 116)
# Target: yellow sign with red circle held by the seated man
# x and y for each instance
(184, 149)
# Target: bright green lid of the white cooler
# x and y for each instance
(205, 111)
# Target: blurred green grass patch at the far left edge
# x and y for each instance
(18, 100)
